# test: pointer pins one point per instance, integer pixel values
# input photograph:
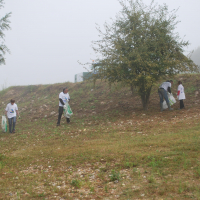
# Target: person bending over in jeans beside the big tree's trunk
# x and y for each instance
(162, 91)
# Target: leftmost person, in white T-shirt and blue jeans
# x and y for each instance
(11, 111)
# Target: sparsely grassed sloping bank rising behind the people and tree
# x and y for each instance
(41, 101)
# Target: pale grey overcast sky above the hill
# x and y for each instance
(48, 37)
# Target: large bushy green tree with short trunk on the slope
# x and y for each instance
(140, 46)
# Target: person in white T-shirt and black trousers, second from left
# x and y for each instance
(63, 98)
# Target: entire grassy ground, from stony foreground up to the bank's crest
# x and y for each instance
(112, 149)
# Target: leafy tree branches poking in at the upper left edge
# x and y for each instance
(4, 25)
